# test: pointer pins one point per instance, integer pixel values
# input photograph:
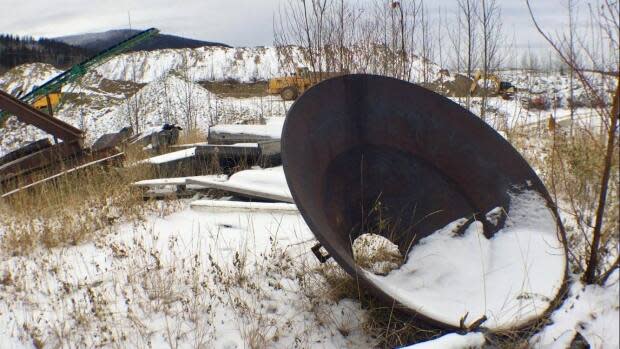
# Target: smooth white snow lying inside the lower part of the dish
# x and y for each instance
(511, 278)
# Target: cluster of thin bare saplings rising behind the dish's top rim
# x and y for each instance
(376, 37)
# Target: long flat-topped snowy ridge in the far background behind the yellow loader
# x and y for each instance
(244, 64)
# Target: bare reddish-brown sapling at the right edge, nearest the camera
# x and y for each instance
(608, 19)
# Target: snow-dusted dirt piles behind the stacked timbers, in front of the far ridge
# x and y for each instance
(169, 99)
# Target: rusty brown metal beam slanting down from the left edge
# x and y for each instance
(37, 118)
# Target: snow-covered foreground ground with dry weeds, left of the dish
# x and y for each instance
(187, 279)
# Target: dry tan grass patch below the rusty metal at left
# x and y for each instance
(71, 209)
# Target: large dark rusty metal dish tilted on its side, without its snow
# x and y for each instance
(352, 143)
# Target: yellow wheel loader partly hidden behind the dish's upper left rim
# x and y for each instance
(291, 87)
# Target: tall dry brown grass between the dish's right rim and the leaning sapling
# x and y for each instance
(570, 166)
